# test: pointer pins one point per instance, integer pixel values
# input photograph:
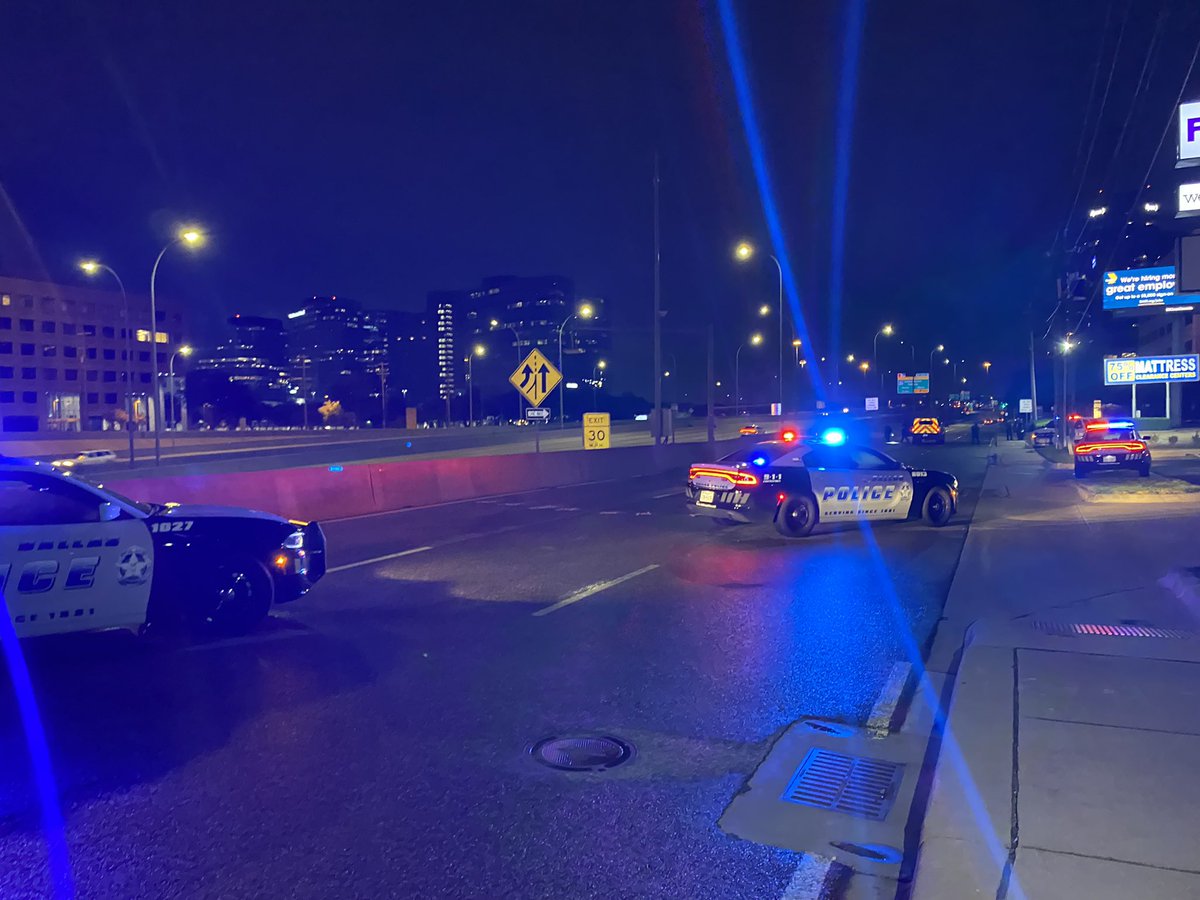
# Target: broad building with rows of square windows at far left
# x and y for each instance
(64, 358)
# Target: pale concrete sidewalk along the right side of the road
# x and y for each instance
(1069, 765)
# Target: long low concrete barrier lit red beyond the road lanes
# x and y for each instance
(356, 490)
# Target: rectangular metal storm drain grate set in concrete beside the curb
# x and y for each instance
(855, 785)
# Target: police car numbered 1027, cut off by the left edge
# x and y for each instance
(75, 556)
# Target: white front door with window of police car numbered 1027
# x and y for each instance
(62, 567)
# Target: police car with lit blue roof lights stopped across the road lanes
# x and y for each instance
(799, 484)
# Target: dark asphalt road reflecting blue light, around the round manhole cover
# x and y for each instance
(373, 741)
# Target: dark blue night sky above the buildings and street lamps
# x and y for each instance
(382, 151)
